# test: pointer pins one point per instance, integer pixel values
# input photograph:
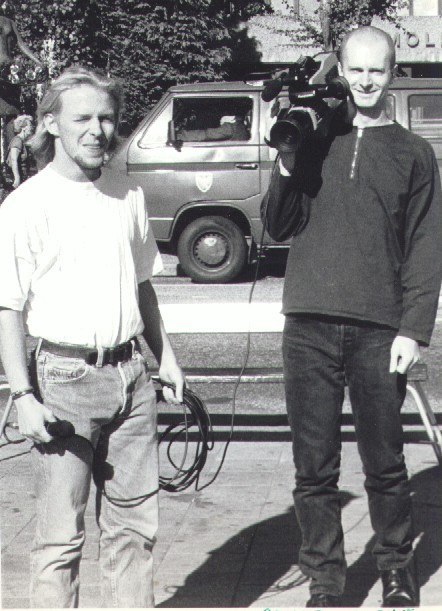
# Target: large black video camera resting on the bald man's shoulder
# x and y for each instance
(309, 83)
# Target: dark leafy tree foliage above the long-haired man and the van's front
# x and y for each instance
(148, 45)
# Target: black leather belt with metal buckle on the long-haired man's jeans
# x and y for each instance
(93, 356)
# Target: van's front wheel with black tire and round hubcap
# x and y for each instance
(212, 249)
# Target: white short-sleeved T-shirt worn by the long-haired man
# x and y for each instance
(72, 255)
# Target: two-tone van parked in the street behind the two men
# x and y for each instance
(202, 161)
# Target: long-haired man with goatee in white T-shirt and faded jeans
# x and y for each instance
(77, 255)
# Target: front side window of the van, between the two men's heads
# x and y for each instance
(213, 119)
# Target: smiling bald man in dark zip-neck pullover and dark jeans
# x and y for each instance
(363, 205)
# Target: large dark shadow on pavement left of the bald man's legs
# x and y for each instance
(268, 566)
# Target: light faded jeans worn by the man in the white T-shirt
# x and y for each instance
(113, 409)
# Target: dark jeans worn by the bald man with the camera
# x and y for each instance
(320, 356)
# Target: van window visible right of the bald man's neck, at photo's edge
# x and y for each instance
(426, 115)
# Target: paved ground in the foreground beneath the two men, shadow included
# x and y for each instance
(235, 543)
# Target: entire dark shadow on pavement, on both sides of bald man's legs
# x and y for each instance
(269, 564)
